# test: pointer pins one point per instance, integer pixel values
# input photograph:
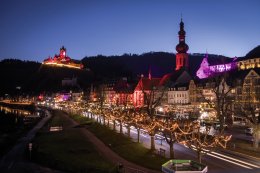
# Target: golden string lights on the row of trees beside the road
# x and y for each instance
(187, 133)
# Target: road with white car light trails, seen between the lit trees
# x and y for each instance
(218, 162)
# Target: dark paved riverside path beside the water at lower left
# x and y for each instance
(15, 162)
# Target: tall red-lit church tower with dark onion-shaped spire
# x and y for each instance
(182, 48)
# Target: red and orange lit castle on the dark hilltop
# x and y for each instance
(62, 60)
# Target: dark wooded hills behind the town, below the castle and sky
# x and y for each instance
(34, 78)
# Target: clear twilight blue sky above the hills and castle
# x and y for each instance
(35, 29)
